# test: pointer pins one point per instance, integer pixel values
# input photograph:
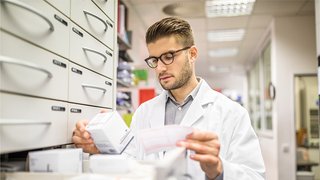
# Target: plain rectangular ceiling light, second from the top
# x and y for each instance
(226, 35)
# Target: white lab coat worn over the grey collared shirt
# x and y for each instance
(211, 111)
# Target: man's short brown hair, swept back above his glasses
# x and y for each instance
(171, 26)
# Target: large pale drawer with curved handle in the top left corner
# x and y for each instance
(37, 22)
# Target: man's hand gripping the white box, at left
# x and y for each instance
(82, 139)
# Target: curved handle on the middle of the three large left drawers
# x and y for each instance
(8, 60)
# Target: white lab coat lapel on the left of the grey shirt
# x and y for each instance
(159, 111)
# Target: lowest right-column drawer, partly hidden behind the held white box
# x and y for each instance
(79, 112)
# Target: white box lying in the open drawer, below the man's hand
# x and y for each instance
(56, 160)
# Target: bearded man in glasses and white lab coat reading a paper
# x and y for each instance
(224, 144)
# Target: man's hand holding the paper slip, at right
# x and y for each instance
(206, 147)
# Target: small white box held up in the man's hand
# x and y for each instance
(109, 132)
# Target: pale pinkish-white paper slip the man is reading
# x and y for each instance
(161, 139)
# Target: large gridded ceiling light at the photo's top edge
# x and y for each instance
(220, 8)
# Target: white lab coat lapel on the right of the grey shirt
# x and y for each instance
(196, 110)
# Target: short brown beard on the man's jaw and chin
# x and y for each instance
(181, 79)
